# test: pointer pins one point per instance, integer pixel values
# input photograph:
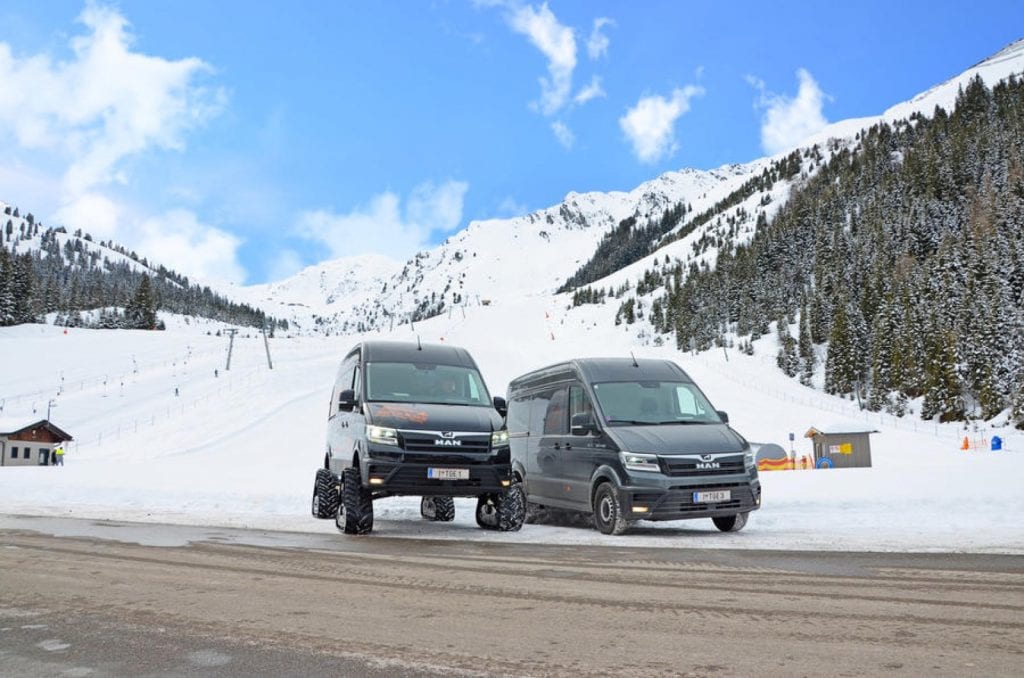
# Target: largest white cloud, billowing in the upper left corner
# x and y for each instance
(79, 118)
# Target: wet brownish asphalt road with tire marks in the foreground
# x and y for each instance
(96, 599)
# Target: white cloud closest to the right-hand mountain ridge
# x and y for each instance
(788, 121)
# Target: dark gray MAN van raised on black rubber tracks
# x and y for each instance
(415, 419)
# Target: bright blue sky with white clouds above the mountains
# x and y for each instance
(243, 141)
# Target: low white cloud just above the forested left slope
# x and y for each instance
(178, 240)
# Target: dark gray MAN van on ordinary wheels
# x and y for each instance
(628, 440)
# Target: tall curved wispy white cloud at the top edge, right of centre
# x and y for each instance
(558, 44)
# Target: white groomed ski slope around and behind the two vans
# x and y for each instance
(240, 449)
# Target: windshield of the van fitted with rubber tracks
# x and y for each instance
(415, 383)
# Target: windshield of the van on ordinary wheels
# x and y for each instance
(641, 403)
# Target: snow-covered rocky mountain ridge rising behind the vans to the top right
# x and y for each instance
(533, 256)
